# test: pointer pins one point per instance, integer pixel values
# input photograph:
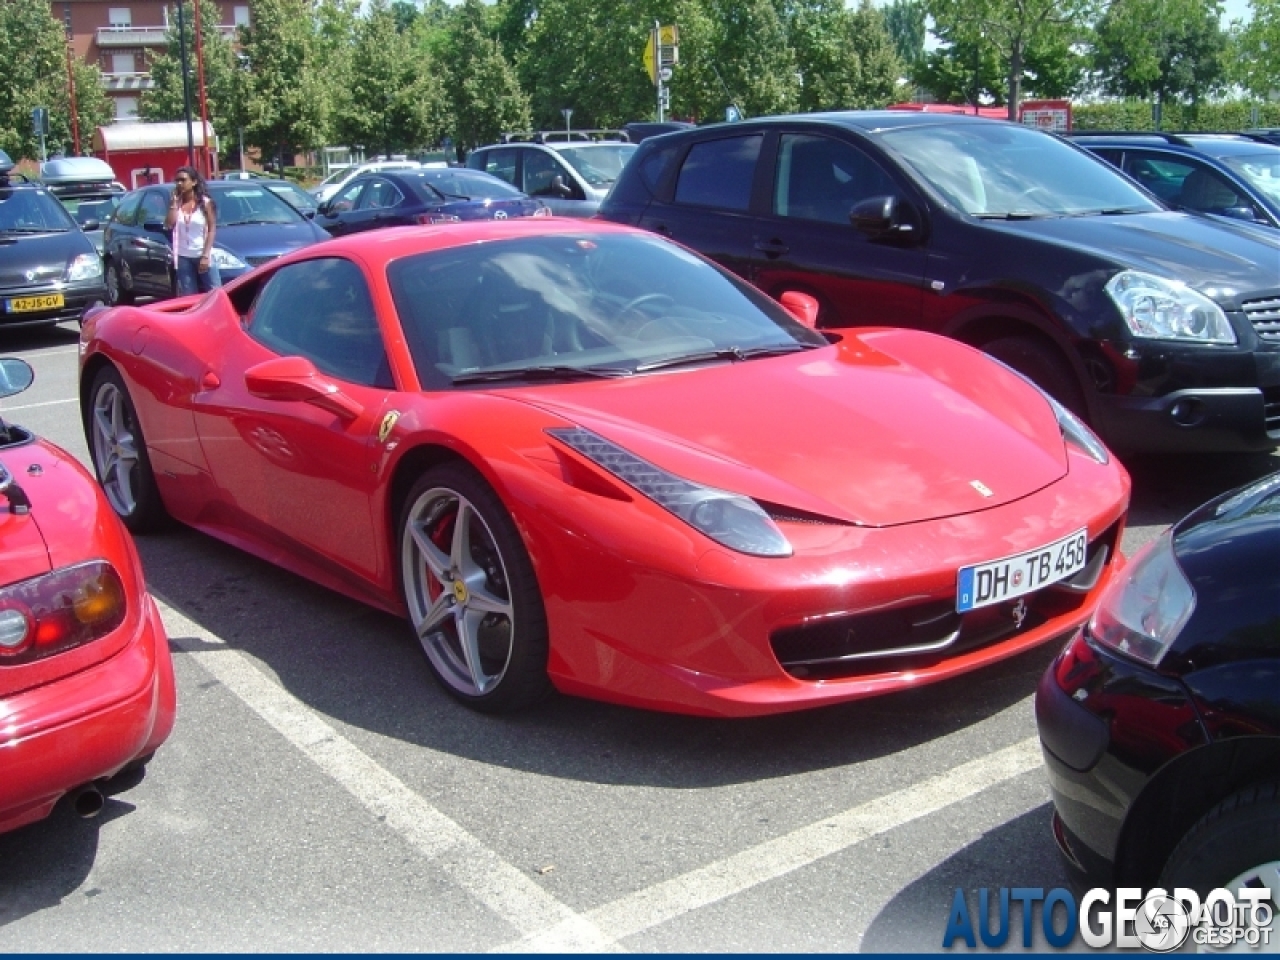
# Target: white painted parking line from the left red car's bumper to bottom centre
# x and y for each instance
(491, 880)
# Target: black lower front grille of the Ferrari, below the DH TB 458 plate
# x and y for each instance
(925, 634)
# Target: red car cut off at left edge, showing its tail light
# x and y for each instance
(86, 680)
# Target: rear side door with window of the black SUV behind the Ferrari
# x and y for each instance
(708, 207)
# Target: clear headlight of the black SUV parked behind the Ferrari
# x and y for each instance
(1168, 310)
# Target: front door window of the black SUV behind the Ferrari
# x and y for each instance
(821, 179)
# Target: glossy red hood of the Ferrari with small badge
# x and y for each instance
(889, 427)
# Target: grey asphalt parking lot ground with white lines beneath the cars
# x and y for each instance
(321, 793)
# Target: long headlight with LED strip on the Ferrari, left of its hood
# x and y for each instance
(726, 518)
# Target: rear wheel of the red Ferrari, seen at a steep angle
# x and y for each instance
(120, 454)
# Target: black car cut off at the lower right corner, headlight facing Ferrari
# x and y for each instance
(1160, 723)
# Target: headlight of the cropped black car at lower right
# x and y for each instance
(1146, 607)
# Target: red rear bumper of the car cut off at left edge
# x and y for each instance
(86, 726)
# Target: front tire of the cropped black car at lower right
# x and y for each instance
(1237, 838)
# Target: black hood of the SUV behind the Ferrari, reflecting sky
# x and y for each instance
(1223, 260)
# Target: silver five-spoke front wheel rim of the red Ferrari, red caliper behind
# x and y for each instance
(458, 591)
